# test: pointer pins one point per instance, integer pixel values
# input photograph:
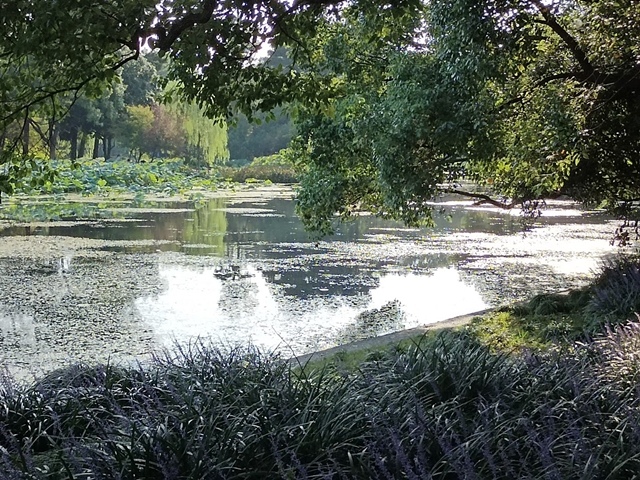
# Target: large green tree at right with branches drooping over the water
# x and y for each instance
(529, 99)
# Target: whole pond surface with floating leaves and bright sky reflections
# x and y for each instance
(111, 279)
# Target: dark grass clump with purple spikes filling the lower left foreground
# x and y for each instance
(196, 412)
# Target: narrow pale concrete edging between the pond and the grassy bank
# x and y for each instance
(389, 338)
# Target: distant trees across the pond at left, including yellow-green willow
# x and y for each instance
(136, 117)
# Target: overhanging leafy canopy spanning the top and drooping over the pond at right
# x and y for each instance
(395, 101)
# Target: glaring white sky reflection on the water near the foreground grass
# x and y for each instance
(195, 302)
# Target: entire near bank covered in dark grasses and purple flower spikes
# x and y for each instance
(544, 389)
